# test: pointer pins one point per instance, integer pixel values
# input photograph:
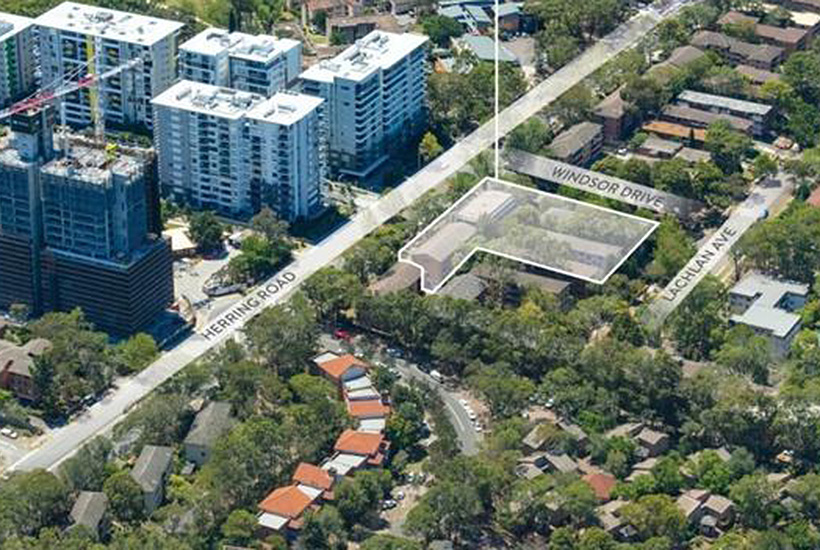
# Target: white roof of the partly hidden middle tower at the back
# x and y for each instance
(261, 47)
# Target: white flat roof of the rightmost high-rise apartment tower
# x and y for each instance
(378, 50)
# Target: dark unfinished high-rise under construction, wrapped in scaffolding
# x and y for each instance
(76, 229)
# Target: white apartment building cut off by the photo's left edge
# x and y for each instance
(17, 60)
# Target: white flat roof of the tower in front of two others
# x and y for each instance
(282, 108)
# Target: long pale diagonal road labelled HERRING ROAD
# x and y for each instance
(63, 442)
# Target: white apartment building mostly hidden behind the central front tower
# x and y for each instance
(260, 64)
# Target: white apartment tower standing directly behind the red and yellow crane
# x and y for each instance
(76, 39)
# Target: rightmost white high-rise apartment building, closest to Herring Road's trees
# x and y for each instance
(376, 93)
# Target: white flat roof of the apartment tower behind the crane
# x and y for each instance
(110, 24)
